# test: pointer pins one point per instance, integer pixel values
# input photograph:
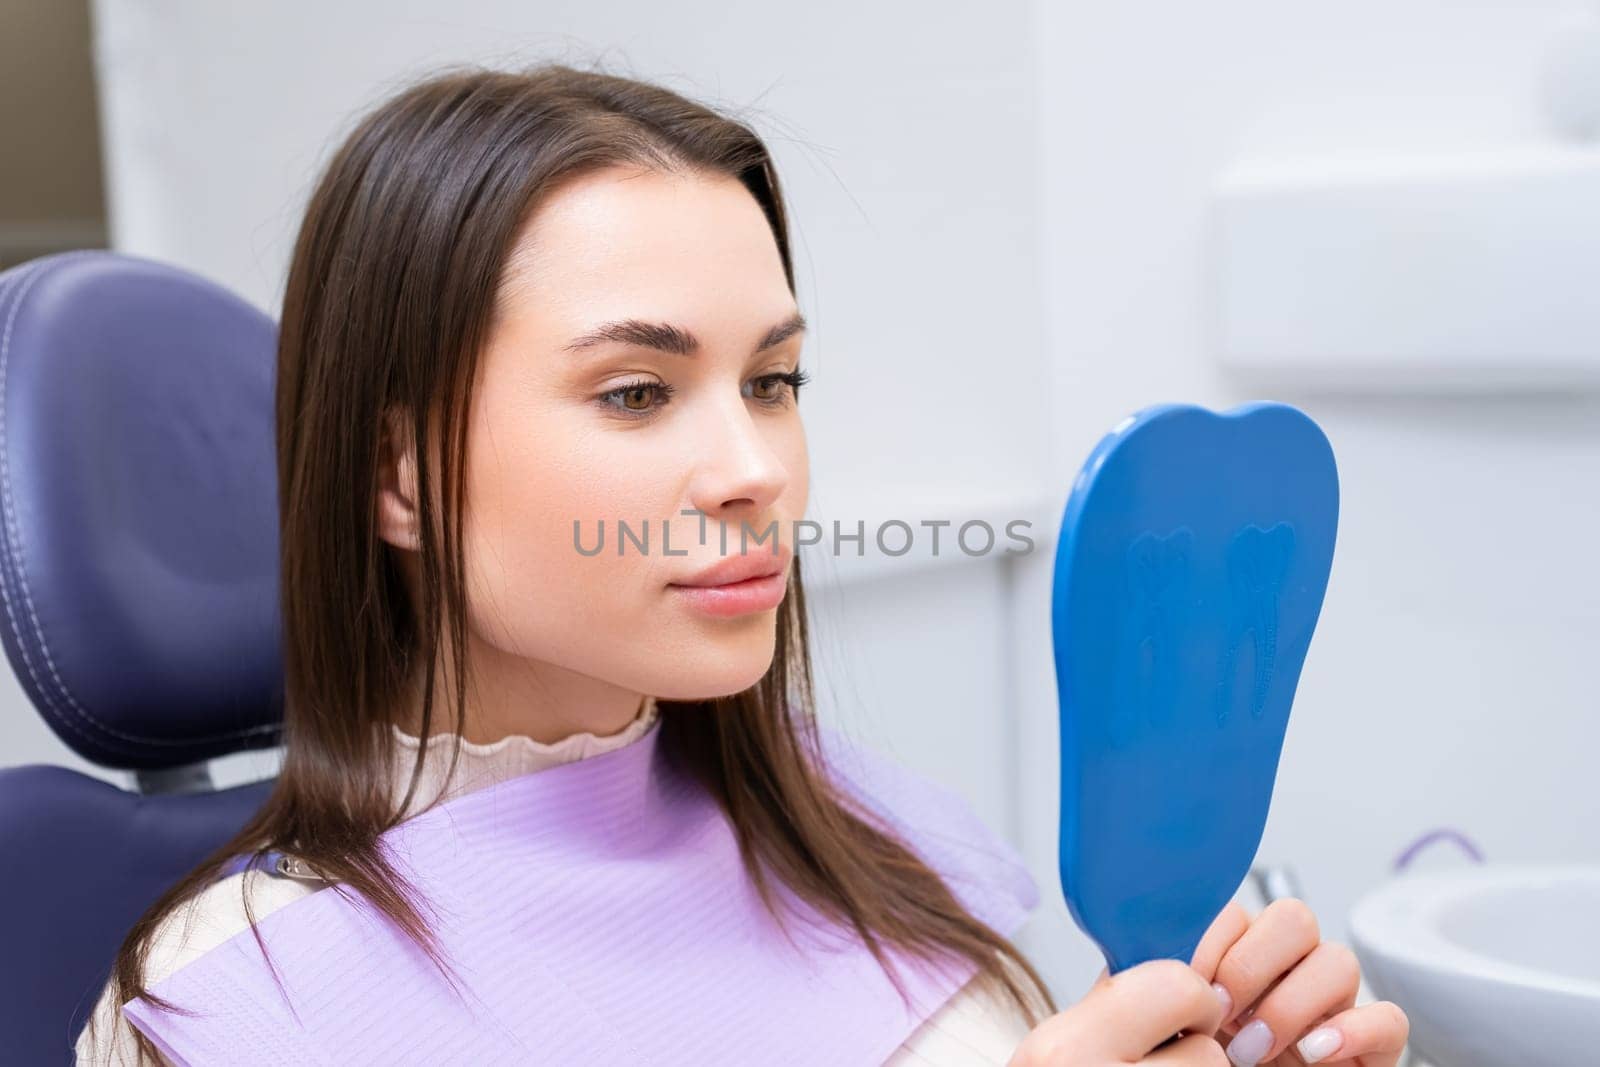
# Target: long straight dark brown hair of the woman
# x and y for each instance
(390, 300)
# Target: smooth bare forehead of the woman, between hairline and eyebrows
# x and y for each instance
(636, 242)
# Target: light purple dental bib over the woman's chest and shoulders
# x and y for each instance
(594, 913)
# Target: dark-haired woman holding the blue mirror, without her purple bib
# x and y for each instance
(522, 305)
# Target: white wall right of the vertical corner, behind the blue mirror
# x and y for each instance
(1452, 677)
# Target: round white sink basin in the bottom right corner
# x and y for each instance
(1495, 965)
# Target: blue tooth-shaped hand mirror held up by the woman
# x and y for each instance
(1190, 575)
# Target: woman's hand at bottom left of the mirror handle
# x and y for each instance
(1124, 1020)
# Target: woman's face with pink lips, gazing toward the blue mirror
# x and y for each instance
(582, 420)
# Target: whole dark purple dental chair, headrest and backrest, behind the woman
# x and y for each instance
(138, 581)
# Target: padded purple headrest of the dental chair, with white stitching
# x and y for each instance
(138, 492)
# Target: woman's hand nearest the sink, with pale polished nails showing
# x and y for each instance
(1292, 994)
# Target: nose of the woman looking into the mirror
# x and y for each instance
(738, 476)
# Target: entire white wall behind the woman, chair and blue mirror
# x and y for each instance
(1001, 225)
